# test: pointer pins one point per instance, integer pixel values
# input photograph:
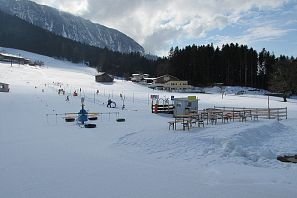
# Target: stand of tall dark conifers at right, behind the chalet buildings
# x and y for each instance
(233, 65)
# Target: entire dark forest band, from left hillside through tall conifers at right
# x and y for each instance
(204, 65)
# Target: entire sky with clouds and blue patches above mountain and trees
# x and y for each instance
(160, 24)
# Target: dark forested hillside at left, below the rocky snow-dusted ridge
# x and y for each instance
(19, 34)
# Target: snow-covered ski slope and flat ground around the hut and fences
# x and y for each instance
(43, 156)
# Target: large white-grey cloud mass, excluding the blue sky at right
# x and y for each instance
(156, 24)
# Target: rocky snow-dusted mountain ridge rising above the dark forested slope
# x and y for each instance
(70, 26)
